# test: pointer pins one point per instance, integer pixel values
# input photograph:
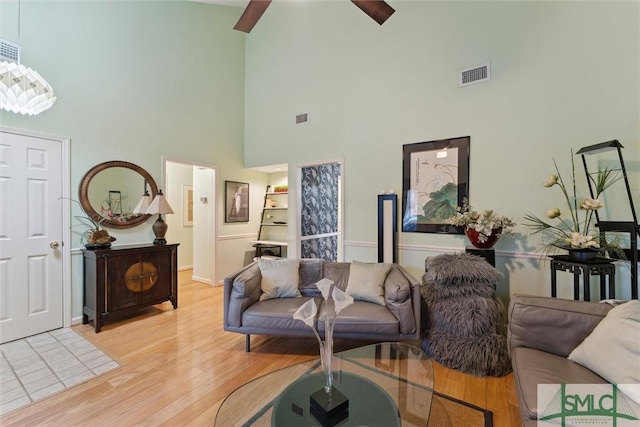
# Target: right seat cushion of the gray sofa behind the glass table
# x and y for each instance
(362, 317)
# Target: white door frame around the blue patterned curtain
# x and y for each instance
(298, 203)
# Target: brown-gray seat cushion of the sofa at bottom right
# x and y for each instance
(532, 367)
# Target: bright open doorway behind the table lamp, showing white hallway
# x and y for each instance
(191, 191)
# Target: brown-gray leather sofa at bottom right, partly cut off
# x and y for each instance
(542, 332)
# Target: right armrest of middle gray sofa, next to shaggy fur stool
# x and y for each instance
(400, 293)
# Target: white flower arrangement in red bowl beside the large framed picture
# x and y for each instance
(482, 228)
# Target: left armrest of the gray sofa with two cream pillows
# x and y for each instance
(241, 290)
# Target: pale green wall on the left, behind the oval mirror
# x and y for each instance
(137, 81)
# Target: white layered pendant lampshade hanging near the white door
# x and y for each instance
(23, 90)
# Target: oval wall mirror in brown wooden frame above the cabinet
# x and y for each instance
(111, 190)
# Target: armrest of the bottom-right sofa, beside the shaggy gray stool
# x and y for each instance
(552, 325)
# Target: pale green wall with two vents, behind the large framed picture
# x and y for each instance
(564, 75)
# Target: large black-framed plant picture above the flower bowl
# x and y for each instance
(435, 181)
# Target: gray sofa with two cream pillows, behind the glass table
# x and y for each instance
(398, 319)
